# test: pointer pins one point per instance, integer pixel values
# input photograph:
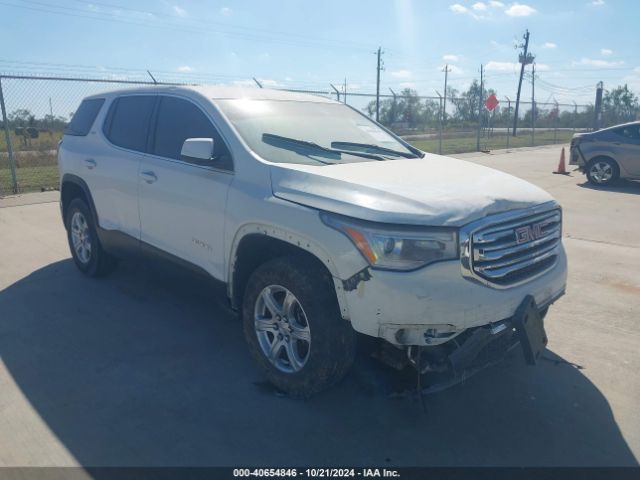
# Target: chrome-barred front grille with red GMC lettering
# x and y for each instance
(516, 250)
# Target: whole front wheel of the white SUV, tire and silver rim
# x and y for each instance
(304, 292)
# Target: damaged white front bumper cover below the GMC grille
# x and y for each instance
(435, 305)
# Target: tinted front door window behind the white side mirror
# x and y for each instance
(179, 119)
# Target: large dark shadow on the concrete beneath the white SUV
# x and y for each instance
(149, 367)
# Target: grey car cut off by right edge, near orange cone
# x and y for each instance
(608, 154)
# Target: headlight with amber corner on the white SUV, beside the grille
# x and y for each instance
(397, 247)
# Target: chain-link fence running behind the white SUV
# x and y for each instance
(36, 111)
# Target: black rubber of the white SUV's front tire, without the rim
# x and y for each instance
(332, 344)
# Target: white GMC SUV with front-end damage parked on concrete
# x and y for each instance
(320, 222)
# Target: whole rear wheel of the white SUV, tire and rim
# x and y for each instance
(87, 253)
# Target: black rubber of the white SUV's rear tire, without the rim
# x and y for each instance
(97, 262)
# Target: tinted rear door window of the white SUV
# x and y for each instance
(127, 122)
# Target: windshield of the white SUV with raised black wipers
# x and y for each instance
(308, 132)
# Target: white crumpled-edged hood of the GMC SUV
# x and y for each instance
(434, 190)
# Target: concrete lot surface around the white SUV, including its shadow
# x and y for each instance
(149, 367)
